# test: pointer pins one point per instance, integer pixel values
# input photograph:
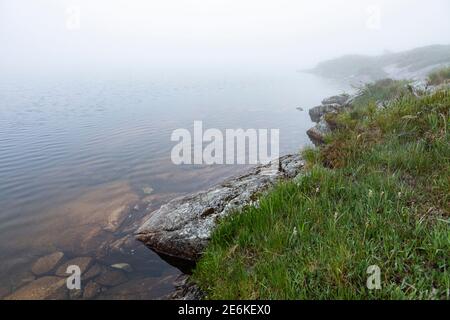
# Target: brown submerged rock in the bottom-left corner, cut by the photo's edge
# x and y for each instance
(49, 287)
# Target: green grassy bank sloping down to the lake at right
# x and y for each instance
(378, 193)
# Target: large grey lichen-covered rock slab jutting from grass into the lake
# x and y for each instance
(182, 227)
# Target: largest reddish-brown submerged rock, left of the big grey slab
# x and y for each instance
(84, 226)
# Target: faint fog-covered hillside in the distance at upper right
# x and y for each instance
(414, 64)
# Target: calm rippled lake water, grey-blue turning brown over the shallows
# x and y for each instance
(73, 149)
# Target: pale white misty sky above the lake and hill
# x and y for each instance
(77, 34)
